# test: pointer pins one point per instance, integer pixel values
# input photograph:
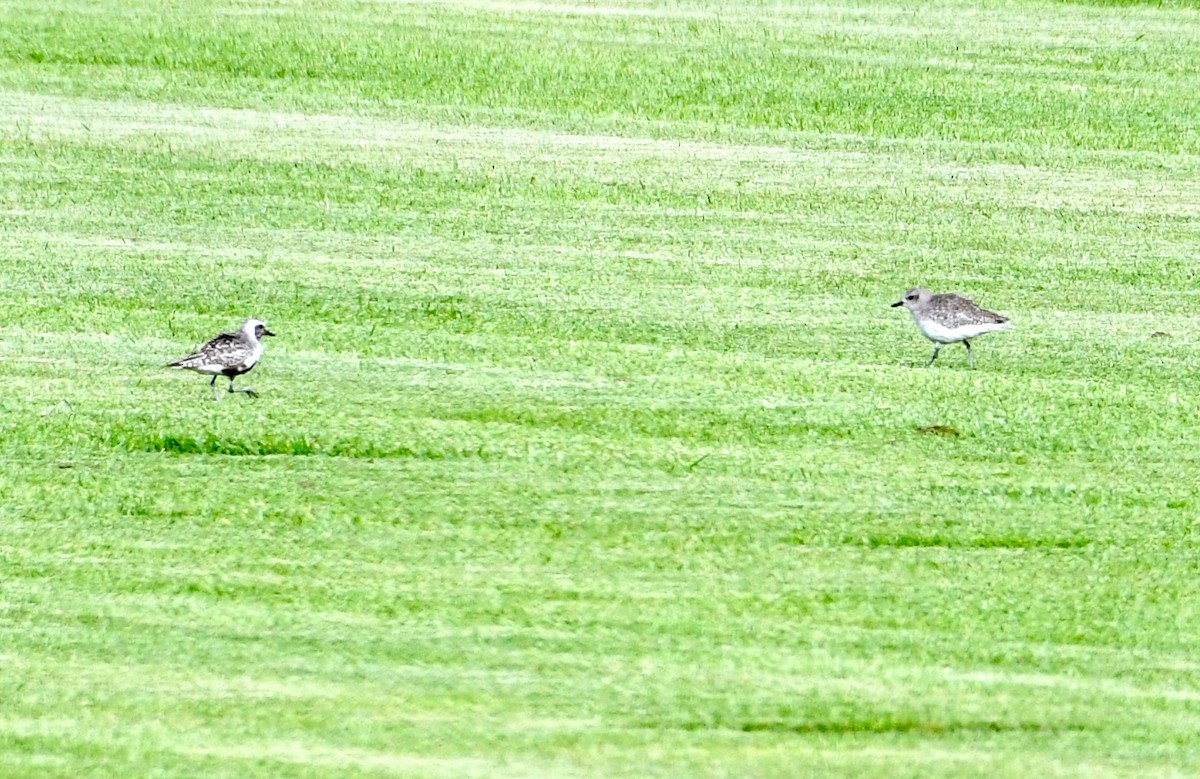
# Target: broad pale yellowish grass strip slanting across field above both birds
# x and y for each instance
(697, 166)
